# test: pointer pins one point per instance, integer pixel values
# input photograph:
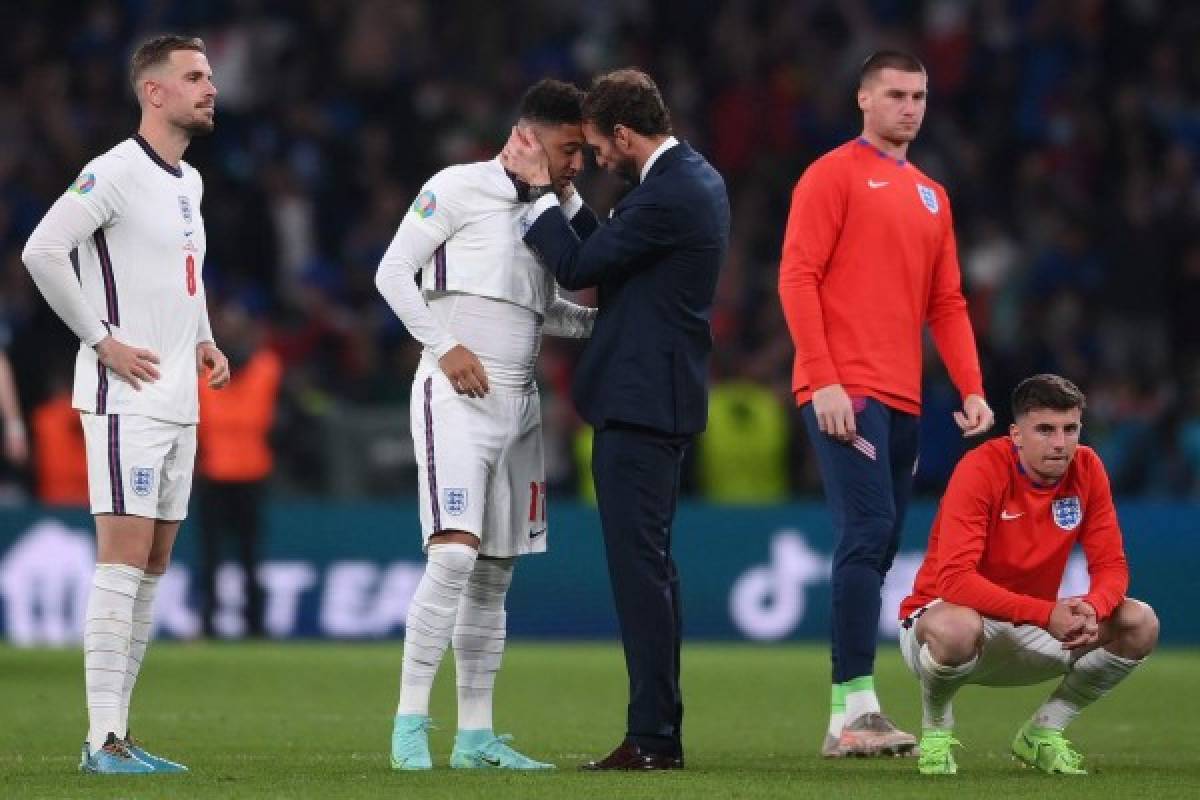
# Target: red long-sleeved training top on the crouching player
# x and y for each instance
(1000, 542)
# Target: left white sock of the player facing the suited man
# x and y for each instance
(430, 623)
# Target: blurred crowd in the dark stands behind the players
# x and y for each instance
(1067, 134)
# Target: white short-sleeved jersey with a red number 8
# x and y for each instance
(141, 273)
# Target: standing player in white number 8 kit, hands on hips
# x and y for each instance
(118, 257)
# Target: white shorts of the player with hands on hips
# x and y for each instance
(139, 466)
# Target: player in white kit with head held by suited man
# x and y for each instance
(482, 308)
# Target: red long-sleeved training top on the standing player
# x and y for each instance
(869, 258)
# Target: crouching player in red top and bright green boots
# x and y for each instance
(985, 607)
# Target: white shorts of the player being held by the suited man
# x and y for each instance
(479, 465)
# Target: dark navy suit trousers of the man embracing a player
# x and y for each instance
(637, 474)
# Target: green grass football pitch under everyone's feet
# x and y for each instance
(314, 720)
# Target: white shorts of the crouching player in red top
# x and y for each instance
(1013, 655)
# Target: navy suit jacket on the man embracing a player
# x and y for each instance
(656, 263)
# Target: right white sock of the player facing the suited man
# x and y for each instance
(479, 636)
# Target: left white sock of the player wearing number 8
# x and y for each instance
(106, 645)
